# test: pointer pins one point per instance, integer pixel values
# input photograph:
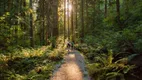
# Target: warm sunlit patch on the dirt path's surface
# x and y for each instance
(70, 70)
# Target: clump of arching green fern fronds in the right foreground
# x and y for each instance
(103, 67)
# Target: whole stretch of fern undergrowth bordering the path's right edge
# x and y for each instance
(102, 65)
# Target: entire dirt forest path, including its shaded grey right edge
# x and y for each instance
(72, 69)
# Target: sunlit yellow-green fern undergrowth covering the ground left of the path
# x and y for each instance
(30, 64)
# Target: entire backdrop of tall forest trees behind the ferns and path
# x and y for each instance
(28, 23)
